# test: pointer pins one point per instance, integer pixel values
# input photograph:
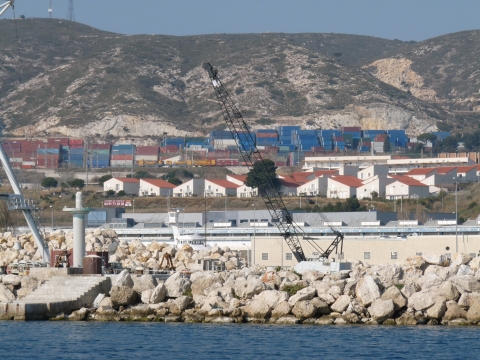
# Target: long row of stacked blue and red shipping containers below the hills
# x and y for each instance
(285, 145)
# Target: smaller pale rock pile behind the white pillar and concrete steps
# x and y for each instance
(131, 254)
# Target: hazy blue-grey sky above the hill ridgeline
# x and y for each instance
(400, 19)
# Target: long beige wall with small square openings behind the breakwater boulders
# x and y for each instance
(355, 248)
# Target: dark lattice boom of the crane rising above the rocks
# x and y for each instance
(246, 145)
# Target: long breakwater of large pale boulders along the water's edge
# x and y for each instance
(424, 290)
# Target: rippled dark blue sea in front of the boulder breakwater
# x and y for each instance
(117, 340)
